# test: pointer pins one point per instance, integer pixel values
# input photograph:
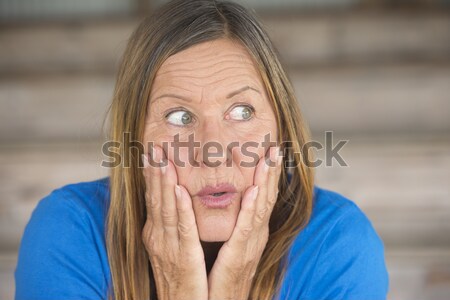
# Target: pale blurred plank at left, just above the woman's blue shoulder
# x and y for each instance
(30, 173)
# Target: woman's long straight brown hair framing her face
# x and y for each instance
(171, 29)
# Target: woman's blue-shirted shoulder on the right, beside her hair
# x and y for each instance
(338, 255)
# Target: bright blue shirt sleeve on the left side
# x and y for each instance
(59, 257)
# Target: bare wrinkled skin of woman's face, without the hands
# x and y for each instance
(206, 74)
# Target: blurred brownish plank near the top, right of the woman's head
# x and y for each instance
(360, 38)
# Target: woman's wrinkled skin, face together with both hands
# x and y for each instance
(214, 91)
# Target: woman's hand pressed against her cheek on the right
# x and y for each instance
(233, 271)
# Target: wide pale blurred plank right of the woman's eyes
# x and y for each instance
(389, 99)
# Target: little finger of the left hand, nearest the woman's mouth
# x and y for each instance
(187, 226)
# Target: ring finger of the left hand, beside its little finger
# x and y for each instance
(169, 215)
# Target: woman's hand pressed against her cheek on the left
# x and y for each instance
(170, 234)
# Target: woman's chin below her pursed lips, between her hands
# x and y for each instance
(216, 228)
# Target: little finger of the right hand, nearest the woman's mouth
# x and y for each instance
(244, 224)
